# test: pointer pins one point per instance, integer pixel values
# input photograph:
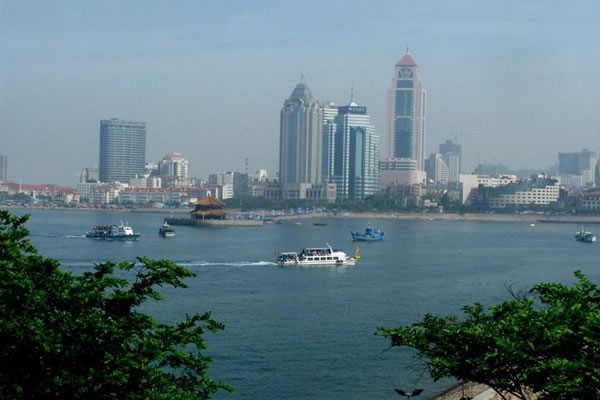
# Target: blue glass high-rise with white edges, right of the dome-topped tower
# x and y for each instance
(352, 153)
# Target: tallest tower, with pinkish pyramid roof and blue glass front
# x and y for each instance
(406, 113)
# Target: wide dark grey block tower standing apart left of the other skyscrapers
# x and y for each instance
(122, 150)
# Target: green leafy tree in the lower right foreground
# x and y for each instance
(544, 344)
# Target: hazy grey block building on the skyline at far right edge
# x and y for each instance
(574, 168)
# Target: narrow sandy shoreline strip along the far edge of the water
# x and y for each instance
(468, 217)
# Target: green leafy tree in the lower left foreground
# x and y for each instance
(83, 337)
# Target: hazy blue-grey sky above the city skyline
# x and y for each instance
(514, 81)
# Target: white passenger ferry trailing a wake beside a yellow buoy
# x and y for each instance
(317, 256)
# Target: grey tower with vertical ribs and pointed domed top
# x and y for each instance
(300, 138)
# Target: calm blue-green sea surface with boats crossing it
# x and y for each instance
(307, 332)
